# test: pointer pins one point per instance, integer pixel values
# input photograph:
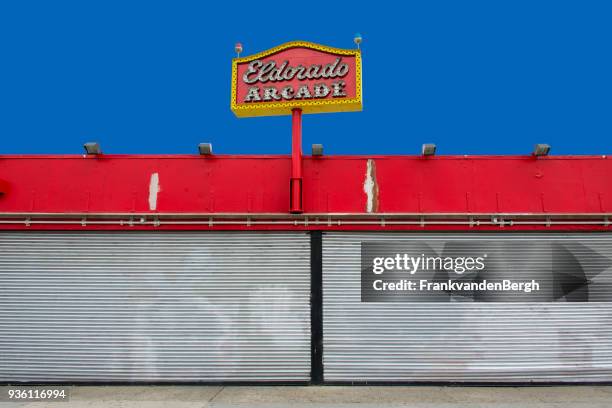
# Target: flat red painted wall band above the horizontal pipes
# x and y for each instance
(260, 184)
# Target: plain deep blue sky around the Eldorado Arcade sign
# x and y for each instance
(154, 77)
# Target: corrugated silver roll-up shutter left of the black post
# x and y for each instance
(154, 306)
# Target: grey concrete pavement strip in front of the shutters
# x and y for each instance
(331, 396)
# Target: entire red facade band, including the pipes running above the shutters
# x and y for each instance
(339, 192)
